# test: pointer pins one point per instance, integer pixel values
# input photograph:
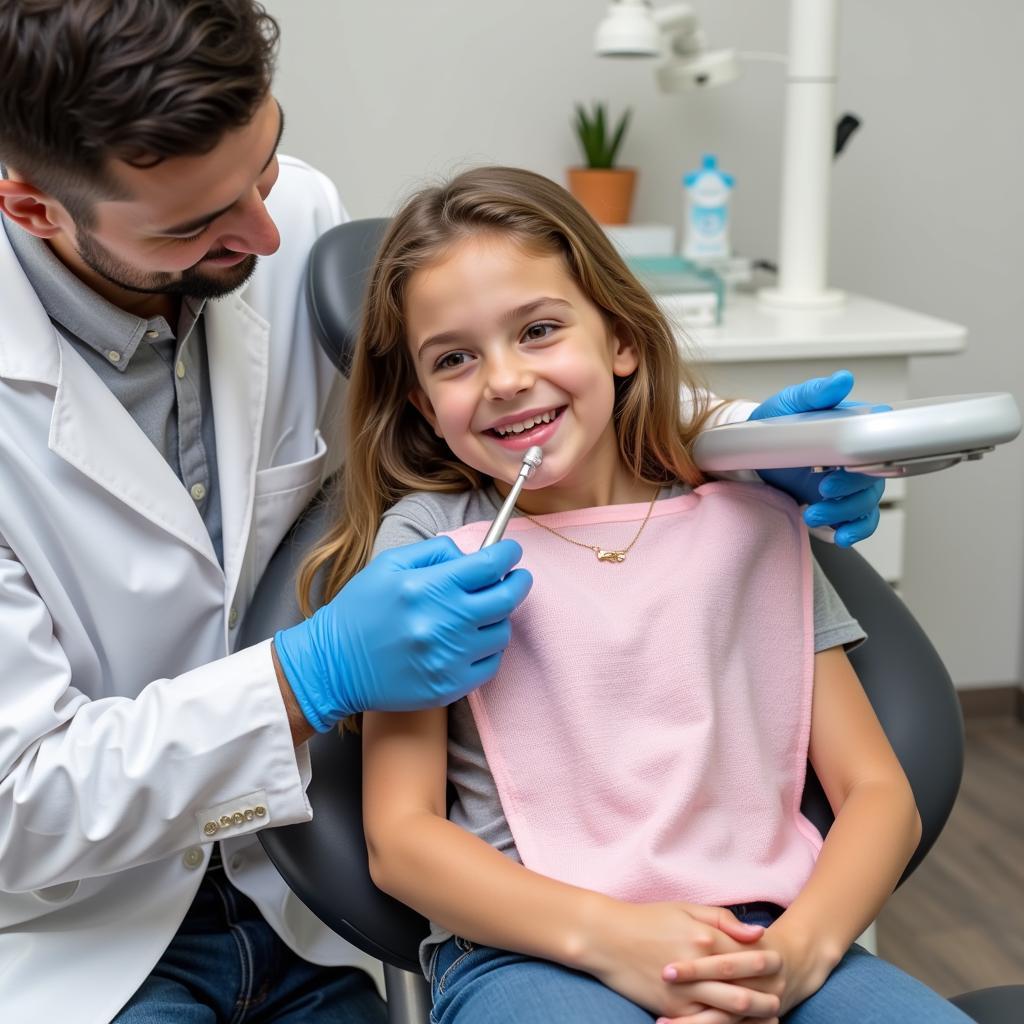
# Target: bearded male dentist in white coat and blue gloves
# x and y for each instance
(163, 409)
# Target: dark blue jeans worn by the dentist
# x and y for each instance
(227, 966)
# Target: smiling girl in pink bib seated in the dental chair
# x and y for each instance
(626, 839)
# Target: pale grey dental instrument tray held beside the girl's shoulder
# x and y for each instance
(912, 438)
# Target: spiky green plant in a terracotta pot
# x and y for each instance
(604, 190)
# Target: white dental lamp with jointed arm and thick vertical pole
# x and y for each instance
(636, 28)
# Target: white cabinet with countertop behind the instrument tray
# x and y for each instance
(756, 352)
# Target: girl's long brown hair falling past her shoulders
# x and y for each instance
(392, 450)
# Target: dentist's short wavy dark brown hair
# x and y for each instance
(87, 81)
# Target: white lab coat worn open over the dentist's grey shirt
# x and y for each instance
(126, 724)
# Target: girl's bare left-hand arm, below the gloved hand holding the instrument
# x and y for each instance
(477, 892)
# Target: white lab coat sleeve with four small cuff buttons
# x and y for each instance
(93, 787)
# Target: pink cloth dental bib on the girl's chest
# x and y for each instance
(648, 731)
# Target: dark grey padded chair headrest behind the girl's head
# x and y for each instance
(339, 273)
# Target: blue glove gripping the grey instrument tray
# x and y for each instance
(851, 500)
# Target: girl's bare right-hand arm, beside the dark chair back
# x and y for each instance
(876, 831)
